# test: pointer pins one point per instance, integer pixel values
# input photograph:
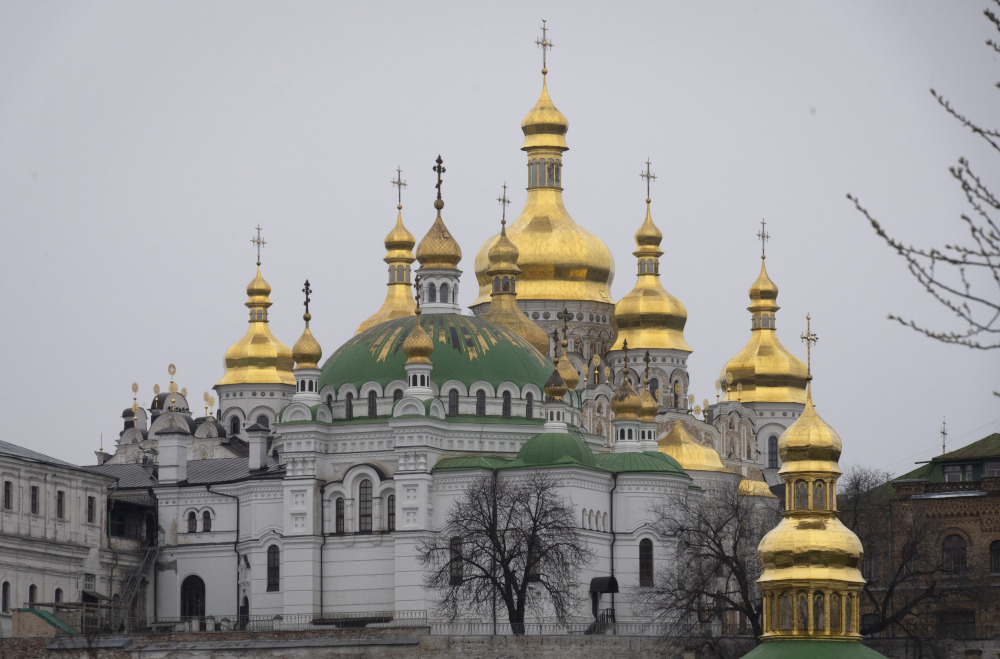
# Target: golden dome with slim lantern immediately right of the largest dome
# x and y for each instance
(649, 316)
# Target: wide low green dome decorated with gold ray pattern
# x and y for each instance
(466, 348)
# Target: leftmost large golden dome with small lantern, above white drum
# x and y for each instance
(258, 358)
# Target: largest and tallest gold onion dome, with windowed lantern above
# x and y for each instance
(559, 260)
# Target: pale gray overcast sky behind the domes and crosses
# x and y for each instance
(141, 142)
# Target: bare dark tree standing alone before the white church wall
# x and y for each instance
(510, 538)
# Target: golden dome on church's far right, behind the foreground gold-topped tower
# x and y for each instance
(765, 368)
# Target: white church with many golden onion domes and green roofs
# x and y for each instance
(311, 485)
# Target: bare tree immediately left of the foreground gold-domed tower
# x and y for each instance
(712, 590)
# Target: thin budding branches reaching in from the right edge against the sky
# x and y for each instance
(964, 278)
